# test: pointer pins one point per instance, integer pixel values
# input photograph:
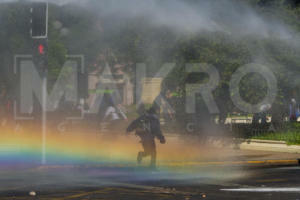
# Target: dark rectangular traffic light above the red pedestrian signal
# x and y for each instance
(39, 20)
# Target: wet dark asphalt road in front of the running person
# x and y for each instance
(98, 183)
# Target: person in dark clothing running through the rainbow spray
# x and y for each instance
(147, 127)
